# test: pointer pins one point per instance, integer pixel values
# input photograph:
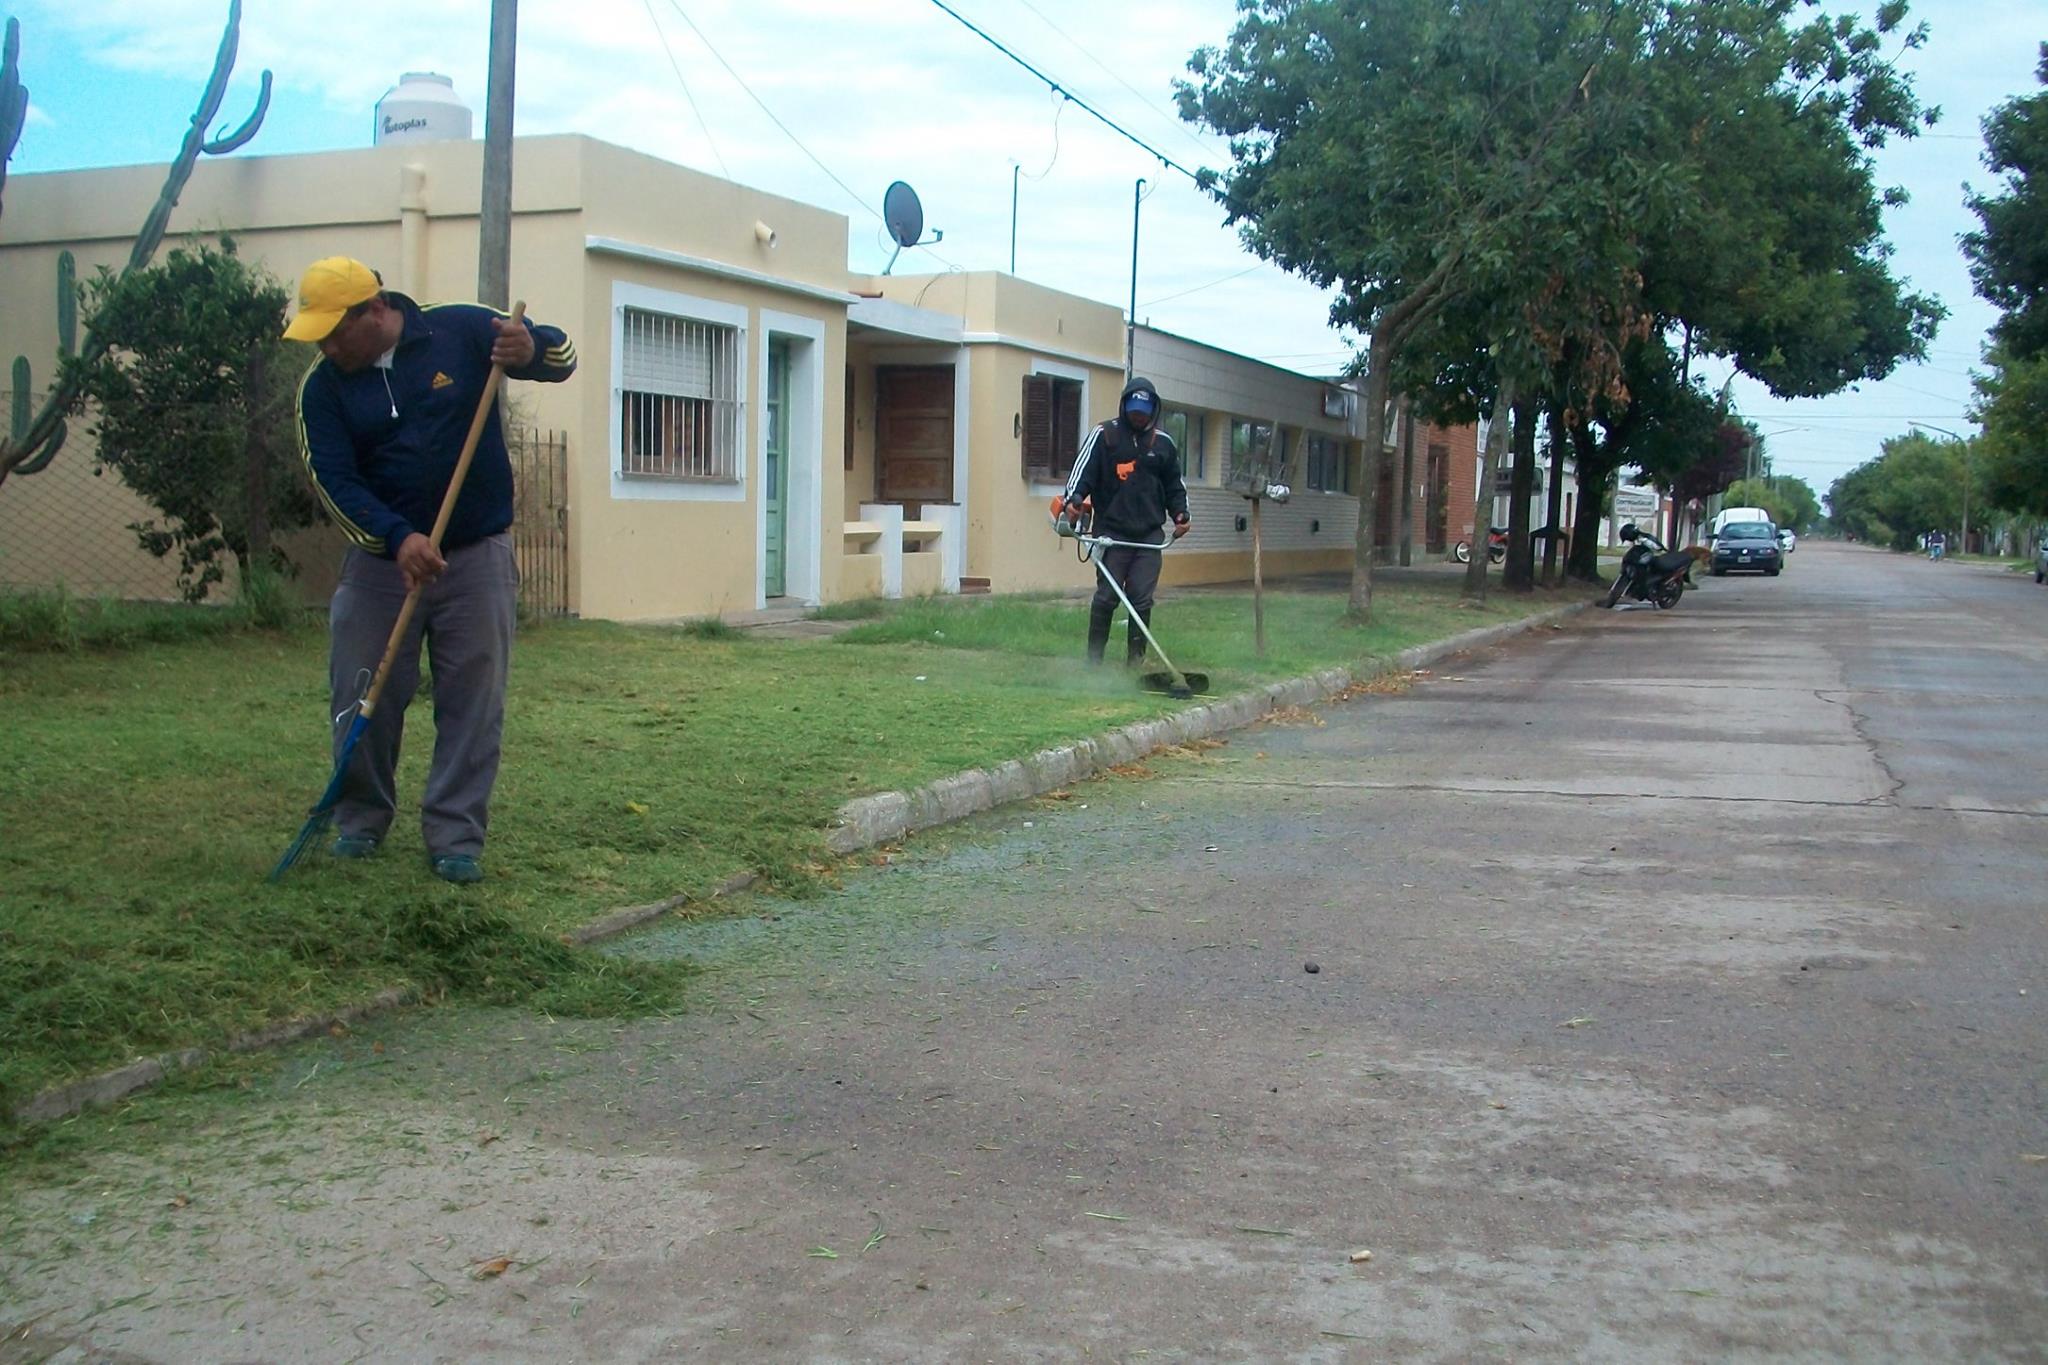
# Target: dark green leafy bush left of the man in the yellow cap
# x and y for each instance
(194, 406)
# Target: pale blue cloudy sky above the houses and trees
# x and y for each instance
(878, 91)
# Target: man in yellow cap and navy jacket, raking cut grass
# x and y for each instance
(382, 425)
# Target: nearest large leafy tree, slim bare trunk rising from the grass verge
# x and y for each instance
(1404, 152)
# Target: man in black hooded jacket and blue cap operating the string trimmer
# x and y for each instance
(1129, 478)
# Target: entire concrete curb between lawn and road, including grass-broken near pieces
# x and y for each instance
(859, 826)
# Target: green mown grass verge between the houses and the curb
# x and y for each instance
(153, 787)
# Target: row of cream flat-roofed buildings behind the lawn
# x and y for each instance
(751, 427)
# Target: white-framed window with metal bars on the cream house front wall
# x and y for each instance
(679, 400)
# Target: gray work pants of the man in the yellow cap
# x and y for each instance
(466, 623)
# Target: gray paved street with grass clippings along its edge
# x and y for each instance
(1678, 998)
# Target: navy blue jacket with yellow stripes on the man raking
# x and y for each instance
(382, 457)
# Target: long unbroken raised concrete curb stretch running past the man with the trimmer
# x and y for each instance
(890, 818)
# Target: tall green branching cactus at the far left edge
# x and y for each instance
(34, 445)
